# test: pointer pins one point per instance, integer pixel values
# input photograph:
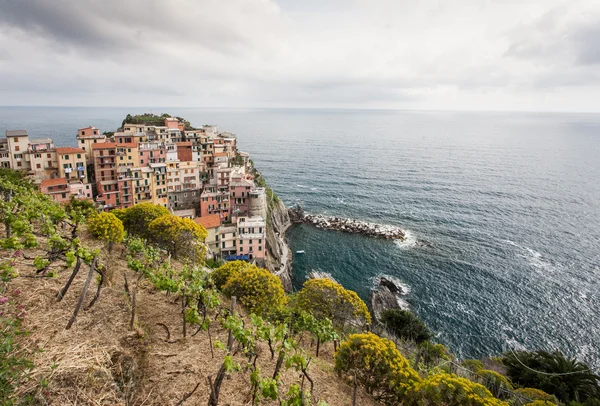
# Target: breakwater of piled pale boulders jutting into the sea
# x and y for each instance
(347, 225)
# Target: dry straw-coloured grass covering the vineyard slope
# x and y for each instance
(99, 361)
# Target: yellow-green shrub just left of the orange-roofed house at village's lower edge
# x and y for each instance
(183, 238)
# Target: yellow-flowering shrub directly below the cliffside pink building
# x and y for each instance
(258, 290)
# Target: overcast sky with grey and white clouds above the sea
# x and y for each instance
(529, 55)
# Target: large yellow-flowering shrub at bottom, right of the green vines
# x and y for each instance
(378, 365)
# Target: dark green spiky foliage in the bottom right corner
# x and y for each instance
(566, 378)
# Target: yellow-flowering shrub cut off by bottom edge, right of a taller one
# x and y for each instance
(450, 390)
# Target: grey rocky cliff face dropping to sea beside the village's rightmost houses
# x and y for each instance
(279, 256)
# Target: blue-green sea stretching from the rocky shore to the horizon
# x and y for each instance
(502, 209)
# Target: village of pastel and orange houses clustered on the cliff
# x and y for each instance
(196, 173)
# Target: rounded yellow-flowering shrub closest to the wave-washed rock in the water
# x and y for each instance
(326, 298)
